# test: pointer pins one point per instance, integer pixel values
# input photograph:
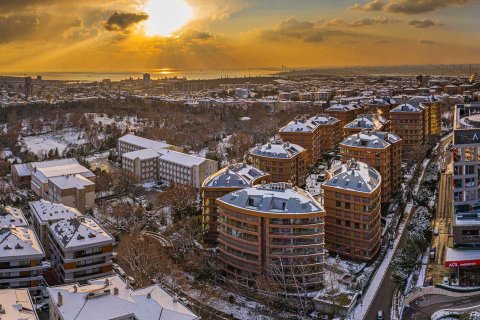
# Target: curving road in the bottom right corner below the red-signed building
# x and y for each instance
(425, 308)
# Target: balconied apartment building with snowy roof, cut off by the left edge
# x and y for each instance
(21, 256)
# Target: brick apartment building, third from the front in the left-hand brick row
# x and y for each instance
(284, 161)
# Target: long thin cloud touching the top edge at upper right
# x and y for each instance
(409, 6)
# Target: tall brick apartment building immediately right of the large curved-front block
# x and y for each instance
(352, 200)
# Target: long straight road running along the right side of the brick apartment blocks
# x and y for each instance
(383, 298)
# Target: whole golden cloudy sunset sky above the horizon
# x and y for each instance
(123, 35)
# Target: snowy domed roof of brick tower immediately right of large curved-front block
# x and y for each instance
(356, 176)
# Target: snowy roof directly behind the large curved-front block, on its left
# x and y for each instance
(240, 175)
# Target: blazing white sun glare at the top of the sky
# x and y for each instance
(166, 16)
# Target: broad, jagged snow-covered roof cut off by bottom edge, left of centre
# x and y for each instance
(109, 298)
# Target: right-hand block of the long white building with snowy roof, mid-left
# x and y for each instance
(185, 169)
